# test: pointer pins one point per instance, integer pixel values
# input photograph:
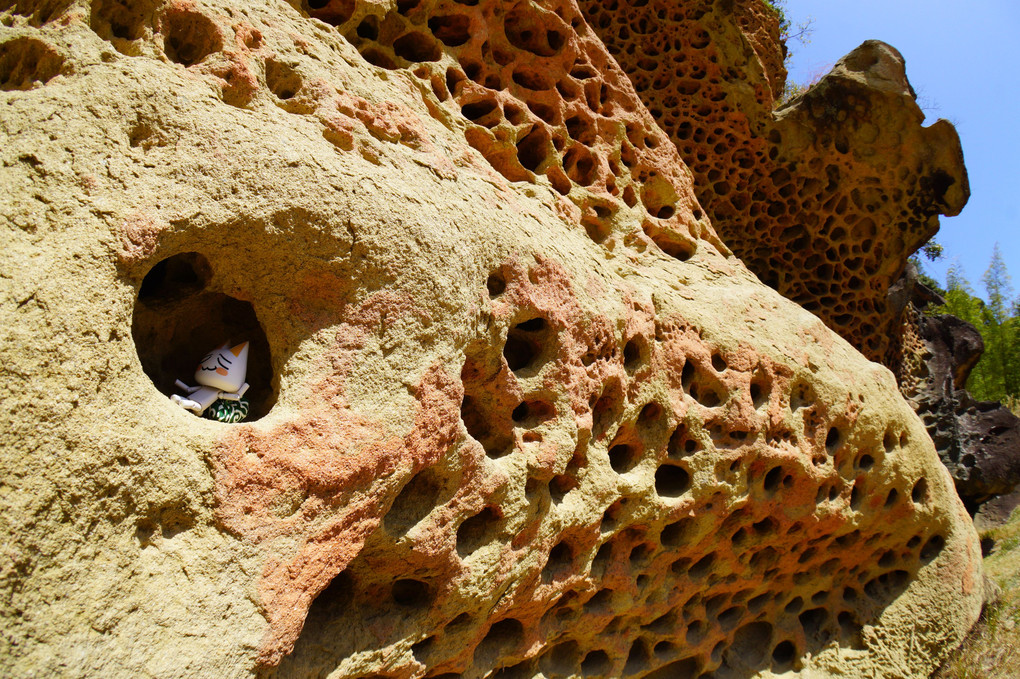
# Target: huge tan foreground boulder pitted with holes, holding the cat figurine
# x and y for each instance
(522, 413)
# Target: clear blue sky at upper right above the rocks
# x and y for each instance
(962, 62)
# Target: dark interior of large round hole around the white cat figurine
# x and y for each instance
(180, 318)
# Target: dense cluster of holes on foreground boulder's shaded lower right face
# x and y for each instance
(670, 583)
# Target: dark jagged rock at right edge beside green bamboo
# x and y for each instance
(979, 442)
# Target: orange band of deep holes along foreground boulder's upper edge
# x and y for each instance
(531, 84)
